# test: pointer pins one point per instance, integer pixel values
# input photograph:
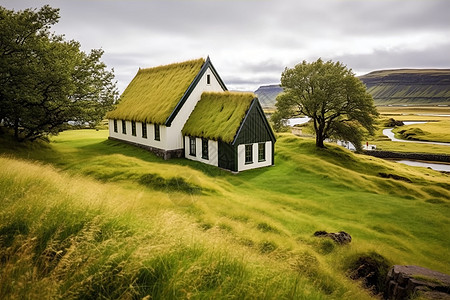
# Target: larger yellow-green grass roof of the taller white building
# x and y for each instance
(153, 93)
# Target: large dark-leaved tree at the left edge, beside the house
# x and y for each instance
(47, 81)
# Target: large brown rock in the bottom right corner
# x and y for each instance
(404, 282)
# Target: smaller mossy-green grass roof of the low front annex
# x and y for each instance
(218, 115)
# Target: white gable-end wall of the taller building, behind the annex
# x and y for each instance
(174, 136)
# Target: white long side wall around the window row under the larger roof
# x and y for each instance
(149, 141)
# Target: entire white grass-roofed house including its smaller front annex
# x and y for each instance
(185, 110)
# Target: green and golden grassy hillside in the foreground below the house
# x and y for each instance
(86, 217)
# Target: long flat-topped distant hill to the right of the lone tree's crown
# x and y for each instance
(409, 86)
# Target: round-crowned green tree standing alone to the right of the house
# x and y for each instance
(336, 101)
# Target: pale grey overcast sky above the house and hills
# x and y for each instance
(250, 42)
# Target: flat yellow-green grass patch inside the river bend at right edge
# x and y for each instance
(432, 131)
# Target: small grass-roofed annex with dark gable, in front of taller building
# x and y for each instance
(229, 130)
